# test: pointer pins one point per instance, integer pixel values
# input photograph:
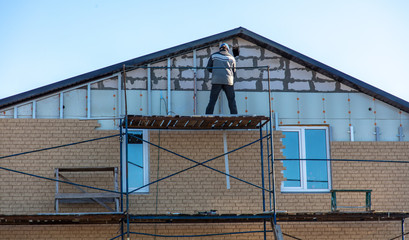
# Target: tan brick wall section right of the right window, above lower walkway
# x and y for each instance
(389, 181)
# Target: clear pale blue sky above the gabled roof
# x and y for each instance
(45, 41)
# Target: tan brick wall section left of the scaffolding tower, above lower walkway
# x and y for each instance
(21, 194)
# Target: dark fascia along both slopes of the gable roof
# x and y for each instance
(204, 42)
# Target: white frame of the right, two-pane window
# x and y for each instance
(303, 166)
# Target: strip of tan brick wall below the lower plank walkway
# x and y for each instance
(303, 230)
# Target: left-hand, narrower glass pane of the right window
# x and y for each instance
(292, 151)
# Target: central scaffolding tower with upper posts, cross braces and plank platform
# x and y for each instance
(177, 122)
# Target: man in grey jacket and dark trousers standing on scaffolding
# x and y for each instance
(222, 65)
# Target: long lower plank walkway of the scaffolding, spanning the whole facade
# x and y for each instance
(115, 218)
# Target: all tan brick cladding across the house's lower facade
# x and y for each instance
(198, 189)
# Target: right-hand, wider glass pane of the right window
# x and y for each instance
(316, 148)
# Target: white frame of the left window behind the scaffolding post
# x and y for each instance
(145, 152)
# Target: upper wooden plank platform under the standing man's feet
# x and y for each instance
(196, 122)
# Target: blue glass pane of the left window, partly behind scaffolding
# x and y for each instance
(135, 161)
